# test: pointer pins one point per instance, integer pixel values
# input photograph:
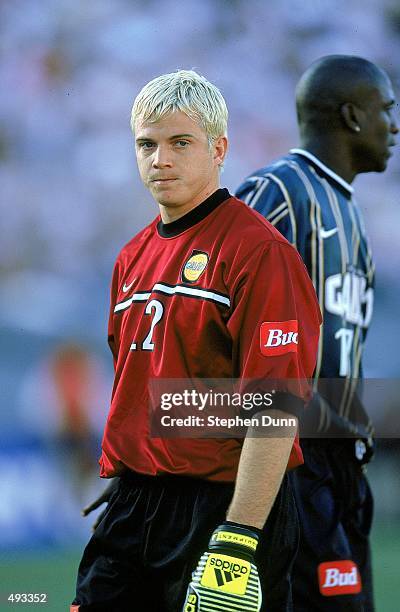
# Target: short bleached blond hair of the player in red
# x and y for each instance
(185, 91)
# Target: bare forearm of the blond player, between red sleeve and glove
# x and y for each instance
(263, 462)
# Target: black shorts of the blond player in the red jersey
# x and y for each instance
(143, 552)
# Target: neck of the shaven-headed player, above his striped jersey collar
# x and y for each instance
(333, 154)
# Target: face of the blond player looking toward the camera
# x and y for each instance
(176, 162)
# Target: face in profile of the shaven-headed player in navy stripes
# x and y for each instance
(378, 128)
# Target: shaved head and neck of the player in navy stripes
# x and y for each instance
(346, 114)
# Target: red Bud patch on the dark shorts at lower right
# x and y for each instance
(338, 578)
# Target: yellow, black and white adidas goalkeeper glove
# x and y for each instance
(226, 578)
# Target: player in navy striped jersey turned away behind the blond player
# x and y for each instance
(345, 115)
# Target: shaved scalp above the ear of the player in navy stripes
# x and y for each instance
(329, 83)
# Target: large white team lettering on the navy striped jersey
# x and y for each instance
(348, 297)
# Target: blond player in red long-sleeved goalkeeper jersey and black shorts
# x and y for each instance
(208, 290)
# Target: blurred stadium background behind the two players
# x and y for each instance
(71, 197)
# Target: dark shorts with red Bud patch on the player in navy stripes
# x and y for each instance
(335, 509)
